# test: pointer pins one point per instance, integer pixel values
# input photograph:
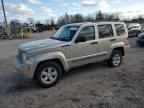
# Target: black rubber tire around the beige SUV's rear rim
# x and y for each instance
(110, 62)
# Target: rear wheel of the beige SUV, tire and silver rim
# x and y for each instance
(115, 59)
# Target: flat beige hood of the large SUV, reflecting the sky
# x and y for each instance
(41, 44)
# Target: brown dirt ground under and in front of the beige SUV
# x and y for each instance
(91, 86)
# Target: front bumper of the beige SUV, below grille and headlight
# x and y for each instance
(25, 69)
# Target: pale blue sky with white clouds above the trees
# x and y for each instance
(47, 9)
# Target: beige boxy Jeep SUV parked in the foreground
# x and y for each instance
(71, 46)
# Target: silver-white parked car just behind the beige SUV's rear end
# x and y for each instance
(134, 29)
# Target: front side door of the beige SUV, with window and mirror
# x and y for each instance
(84, 49)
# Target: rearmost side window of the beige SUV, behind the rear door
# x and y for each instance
(120, 29)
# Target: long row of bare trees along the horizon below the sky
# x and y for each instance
(77, 18)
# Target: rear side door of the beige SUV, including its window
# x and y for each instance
(106, 38)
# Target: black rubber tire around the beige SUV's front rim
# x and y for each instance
(43, 66)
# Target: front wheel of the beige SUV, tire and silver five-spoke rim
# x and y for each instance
(48, 74)
